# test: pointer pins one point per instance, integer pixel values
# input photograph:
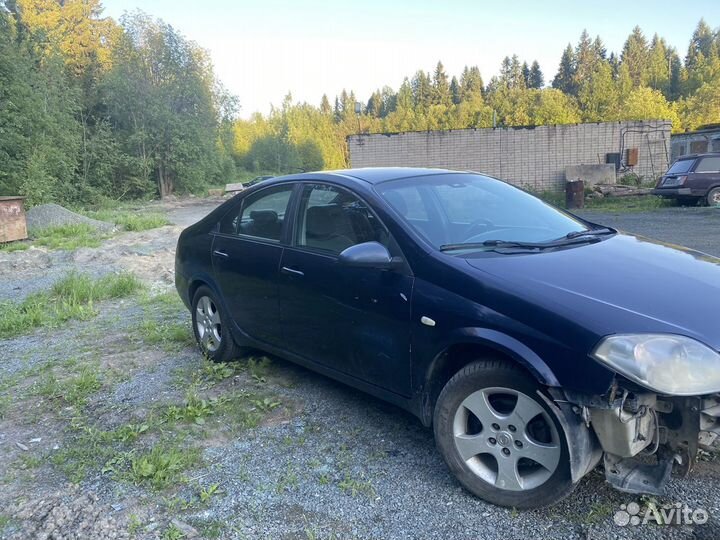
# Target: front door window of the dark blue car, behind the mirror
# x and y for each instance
(332, 219)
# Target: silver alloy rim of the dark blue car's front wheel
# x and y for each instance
(506, 438)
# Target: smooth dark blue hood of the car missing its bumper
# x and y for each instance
(622, 284)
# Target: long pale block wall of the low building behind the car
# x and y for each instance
(532, 157)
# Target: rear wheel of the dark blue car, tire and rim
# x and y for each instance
(211, 327)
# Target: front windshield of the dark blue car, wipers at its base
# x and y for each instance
(462, 208)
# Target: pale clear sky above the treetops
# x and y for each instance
(264, 49)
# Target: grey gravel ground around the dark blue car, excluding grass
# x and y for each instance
(330, 462)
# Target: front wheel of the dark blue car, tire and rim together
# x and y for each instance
(500, 439)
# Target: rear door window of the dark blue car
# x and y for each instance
(261, 215)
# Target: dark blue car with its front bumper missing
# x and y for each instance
(535, 343)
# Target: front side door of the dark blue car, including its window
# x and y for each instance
(353, 320)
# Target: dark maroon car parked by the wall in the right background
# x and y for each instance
(691, 178)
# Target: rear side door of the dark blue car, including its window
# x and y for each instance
(246, 253)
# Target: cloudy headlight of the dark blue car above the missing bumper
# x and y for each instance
(667, 363)
